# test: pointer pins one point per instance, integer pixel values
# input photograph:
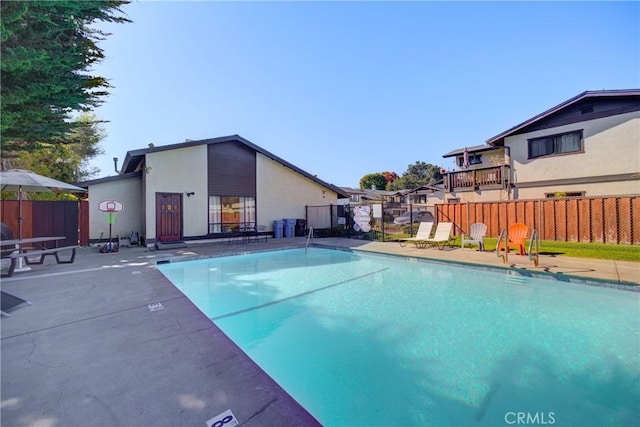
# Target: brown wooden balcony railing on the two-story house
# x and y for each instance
(491, 178)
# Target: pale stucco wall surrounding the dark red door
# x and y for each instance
(182, 170)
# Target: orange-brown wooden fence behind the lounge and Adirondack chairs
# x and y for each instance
(614, 219)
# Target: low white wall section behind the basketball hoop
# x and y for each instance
(129, 193)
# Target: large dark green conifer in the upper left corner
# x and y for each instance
(48, 49)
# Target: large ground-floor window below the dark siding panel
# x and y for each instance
(229, 213)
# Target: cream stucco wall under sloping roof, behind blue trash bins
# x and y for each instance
(284, 193)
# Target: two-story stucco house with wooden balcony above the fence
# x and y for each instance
(588, 145)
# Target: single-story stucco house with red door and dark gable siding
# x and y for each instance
(204, 189)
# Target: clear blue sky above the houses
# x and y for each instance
(343, 89)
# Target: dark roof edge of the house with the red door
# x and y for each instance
(134, 157)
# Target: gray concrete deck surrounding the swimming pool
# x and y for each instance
(90, 351)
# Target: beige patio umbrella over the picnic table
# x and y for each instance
(21, 180)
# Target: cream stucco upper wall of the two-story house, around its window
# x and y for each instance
(611, 147)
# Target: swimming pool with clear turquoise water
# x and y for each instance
(365, 339)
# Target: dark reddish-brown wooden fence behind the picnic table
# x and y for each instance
(49, 218)
